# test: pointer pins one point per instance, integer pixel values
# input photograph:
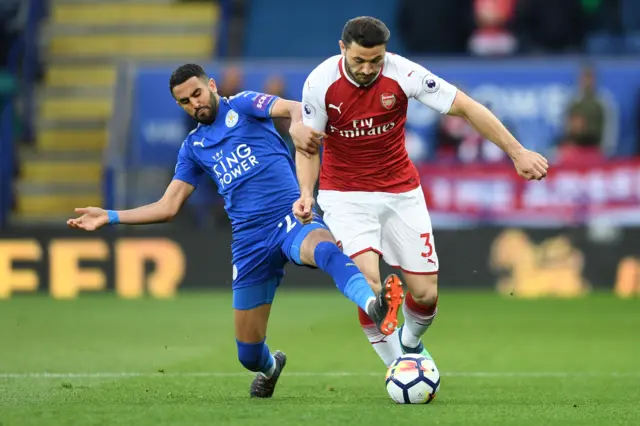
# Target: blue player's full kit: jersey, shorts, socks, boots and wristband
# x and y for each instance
(242, 152)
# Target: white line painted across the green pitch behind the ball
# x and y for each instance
(204, 374)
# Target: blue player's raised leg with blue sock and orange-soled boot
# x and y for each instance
(319, 249)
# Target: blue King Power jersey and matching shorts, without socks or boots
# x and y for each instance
(255, 174)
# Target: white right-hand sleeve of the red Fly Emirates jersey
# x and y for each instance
(426, 87)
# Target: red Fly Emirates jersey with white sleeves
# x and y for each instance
(365, 125)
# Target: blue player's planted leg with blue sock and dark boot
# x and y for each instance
(252, 307)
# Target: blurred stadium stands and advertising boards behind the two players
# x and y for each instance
(87, 120)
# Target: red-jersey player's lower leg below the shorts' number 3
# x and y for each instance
(419, 309)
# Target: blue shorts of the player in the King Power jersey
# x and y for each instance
(258, 262)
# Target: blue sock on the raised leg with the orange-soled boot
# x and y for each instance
(344, 272)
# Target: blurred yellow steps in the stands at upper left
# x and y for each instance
(86, 41)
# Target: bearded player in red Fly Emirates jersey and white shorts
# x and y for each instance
(369, 189)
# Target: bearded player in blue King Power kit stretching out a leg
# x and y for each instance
(237, 146)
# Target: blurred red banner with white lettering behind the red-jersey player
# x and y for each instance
(572, 193)
